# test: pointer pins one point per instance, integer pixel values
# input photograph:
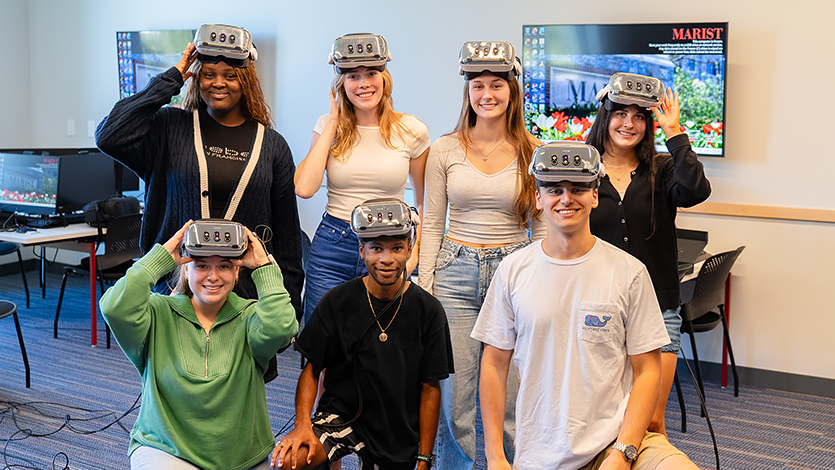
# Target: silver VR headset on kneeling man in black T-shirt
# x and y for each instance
(384, 217)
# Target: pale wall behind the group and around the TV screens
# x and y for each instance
(780, 306)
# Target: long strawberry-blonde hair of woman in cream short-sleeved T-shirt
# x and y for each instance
(346, 129)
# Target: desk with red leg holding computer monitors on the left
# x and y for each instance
(76, 237)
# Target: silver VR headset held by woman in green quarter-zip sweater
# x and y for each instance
(210, 237)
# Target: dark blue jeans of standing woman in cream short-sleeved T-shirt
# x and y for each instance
(334, 259)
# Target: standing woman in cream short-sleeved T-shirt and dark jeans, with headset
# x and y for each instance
(368, 151)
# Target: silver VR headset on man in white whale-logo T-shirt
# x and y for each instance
(566, 161)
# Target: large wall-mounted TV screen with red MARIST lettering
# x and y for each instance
(566, 65)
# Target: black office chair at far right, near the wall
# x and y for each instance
(706, 309)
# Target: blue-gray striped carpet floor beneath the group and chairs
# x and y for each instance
(68, 419)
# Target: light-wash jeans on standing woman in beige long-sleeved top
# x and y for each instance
(462, 276)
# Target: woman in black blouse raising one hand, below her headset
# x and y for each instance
(638, 199)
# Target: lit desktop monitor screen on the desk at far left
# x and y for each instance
(28, 183)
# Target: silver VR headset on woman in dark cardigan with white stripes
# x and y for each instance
(230, 44)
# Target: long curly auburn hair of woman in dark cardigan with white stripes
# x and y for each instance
(253, 105)
